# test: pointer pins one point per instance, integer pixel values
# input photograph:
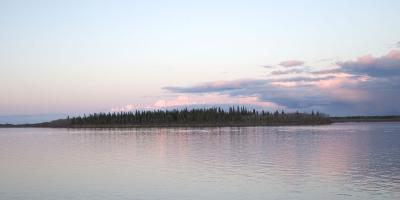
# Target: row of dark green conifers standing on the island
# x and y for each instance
(215, 115)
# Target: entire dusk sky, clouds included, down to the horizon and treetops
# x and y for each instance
(73, 57)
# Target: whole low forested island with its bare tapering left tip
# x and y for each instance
(202, 117)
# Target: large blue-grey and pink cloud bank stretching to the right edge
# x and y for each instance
(380, 92)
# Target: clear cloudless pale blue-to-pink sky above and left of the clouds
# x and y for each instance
(88, 56)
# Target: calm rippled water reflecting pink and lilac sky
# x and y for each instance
(340, 161)
